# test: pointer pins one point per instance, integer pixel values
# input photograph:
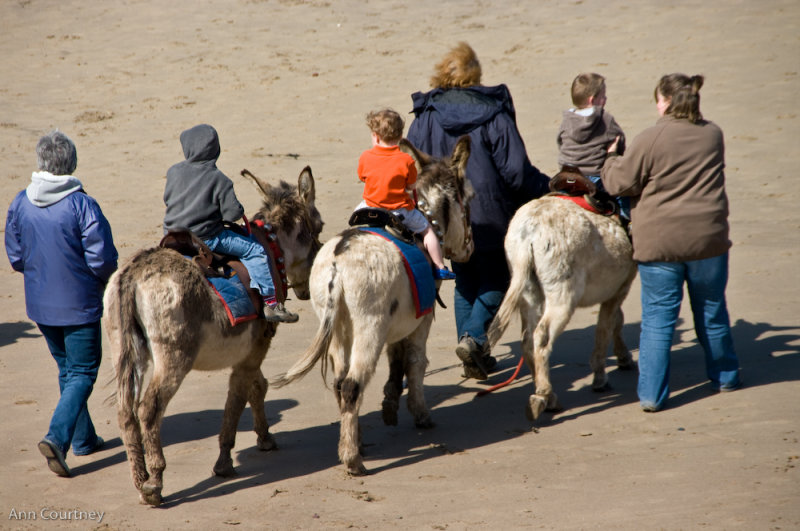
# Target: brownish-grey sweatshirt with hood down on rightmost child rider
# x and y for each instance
(583, 140)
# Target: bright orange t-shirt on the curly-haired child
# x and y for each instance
(386, 173)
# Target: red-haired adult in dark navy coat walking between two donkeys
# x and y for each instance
(501, 174)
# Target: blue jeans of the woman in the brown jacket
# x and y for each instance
(662, 292)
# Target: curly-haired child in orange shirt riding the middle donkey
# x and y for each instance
(389, 177)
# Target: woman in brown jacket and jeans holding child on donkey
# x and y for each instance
(674, 174)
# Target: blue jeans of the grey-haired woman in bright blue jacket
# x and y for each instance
(77, 351)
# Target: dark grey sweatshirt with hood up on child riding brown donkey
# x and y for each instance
(198, 196)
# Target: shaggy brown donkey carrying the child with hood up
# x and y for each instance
(160, 307)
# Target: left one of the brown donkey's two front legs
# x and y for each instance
(241, 381)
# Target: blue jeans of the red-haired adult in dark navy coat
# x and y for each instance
(481, 284)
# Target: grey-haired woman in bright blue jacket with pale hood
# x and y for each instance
(58, 238)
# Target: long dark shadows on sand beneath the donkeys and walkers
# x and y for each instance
(767, 355)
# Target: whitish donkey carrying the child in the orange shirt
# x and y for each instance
(362, 296)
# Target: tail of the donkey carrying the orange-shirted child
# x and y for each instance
(318, 350)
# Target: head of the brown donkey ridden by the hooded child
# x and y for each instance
(291, 212)
